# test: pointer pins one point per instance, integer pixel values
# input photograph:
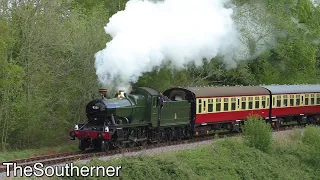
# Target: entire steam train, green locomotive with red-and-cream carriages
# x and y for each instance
(143, 117)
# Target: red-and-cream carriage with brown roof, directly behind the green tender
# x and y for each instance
(222, 107)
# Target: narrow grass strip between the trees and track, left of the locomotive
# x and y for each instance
(18, 154)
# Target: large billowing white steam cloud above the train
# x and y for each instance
(146, 34)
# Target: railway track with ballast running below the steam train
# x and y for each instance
(74, 156)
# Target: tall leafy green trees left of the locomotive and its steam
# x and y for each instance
(47, 71)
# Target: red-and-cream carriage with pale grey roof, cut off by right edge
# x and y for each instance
(295, 103)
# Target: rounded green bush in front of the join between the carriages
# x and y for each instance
(257, 133)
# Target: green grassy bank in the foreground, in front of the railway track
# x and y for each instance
(292, 155)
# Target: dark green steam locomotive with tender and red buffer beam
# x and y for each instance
(128, 120)
